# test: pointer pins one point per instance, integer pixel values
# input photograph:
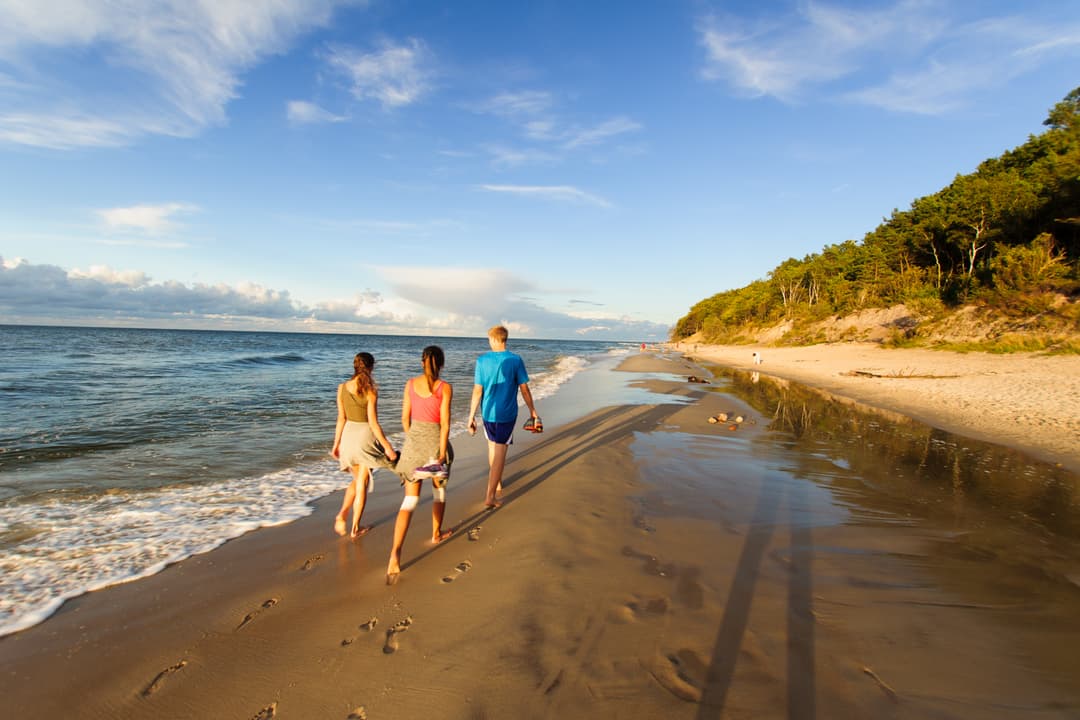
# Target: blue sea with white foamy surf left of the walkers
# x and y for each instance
(125, 451)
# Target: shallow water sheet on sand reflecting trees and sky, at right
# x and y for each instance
(944, 572)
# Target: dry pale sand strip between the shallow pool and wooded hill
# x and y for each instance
(1024, 401)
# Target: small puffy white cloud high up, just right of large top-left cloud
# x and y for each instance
(395, 75)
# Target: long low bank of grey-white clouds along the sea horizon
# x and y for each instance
(468, 303)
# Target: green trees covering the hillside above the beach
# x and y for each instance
(1005, 239)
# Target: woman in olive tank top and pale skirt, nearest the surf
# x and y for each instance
(360, 445)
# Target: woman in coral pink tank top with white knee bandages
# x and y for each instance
(427, 454)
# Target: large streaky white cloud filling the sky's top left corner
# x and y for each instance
(171, 66)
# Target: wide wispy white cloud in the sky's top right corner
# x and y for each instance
(912, 57)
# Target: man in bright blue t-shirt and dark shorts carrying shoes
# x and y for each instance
(498, 378)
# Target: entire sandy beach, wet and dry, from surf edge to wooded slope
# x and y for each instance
(646, 564)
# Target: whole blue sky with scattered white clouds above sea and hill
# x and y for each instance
(572, 170)
